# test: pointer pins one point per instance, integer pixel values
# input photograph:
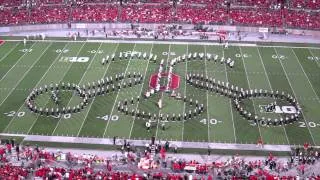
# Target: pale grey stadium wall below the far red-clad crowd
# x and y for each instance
(115, 26)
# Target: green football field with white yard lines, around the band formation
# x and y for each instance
(294, 70)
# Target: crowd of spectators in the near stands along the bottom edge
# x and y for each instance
(28, 162)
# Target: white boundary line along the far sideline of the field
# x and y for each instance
(173, 42)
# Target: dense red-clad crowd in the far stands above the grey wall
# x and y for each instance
(271, 13)
